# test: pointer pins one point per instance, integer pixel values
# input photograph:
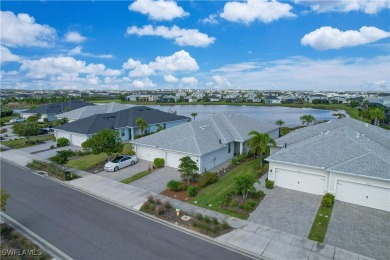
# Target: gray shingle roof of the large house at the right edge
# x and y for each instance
(343, 145)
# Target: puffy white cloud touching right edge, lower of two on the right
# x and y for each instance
(326, 38)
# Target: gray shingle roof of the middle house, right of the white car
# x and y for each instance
(206, 135)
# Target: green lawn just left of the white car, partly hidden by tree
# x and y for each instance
(87, 162)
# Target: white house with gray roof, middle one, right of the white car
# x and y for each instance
(209, 141)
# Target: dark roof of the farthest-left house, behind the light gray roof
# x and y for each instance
(57, 108)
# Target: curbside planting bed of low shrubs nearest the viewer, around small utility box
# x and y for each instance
(199, 223)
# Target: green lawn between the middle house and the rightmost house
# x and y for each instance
(214, 193)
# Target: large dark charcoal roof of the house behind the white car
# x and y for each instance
(122, 118)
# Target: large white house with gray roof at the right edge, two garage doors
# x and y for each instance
(345, 157)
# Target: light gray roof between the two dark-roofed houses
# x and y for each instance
(92, 110)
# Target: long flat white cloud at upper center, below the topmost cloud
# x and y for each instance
(182, 37)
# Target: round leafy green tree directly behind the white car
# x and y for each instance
(106, 141)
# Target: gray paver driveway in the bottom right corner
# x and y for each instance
(360, 229)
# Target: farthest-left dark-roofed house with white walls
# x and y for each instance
(50, 111)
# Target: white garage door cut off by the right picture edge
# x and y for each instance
(363, 194)
